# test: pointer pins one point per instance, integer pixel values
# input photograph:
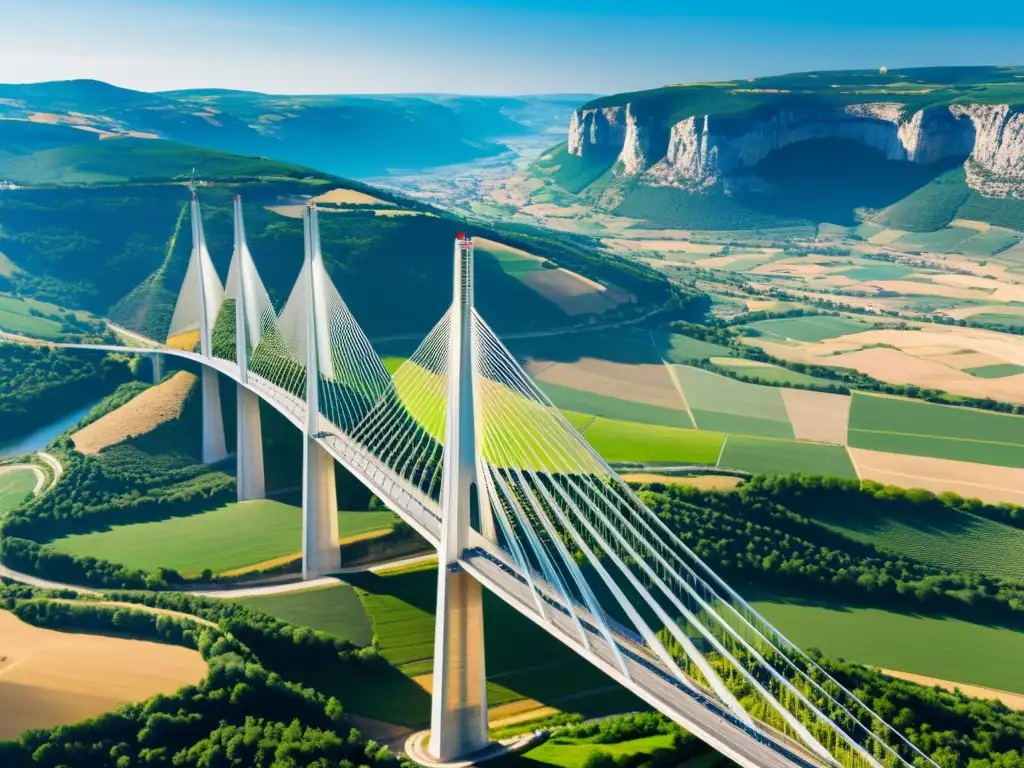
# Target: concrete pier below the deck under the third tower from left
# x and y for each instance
(321, 554)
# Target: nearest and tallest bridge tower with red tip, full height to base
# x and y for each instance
(459, 704)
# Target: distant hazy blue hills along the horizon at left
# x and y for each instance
(357, 137)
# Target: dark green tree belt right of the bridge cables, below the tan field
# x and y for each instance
(755, 537)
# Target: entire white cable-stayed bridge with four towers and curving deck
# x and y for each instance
(462, 445)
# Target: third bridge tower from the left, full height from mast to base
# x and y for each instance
(320, 498)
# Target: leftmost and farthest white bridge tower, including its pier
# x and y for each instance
(210, 292)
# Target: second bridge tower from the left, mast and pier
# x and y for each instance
(249, 443)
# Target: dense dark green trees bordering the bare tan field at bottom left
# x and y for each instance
(243, 714)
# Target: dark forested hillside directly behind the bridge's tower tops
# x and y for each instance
(120, 248)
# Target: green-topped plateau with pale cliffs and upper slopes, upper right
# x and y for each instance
(720, 139)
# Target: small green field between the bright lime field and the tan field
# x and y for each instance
(779, 456)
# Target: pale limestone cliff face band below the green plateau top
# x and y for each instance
(710, 151)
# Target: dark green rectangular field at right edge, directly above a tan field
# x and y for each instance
(903, 426)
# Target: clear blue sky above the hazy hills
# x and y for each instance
(488, 47)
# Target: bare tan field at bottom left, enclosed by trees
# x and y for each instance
(53, 678)
